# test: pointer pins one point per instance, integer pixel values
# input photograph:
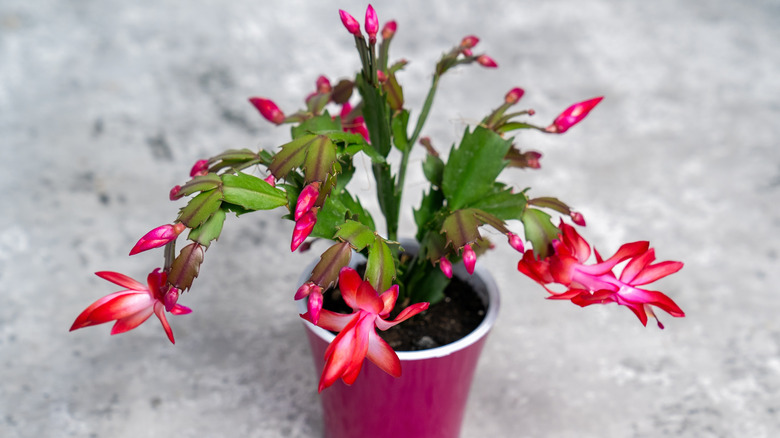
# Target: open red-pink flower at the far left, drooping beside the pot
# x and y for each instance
(131, 307)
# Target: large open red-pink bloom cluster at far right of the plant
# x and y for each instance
(596, 283)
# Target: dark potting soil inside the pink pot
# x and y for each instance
(454, 317)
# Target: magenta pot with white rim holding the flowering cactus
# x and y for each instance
(427, 401)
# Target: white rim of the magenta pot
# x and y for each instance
(482, 281)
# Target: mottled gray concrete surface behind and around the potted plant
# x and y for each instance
(104, 105)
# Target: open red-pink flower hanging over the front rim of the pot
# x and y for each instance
(357, 338)
